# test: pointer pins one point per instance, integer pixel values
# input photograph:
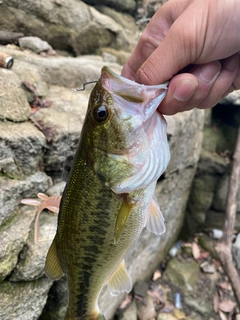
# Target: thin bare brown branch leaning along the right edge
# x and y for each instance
(224, 247)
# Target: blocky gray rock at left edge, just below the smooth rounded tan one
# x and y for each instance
(21, 148)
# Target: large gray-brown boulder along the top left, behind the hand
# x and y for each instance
(71, 26)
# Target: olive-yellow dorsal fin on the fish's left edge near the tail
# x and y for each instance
(52, 267)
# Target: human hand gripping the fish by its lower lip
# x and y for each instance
(196, 44)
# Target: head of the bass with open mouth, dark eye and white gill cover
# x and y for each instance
(124, 129)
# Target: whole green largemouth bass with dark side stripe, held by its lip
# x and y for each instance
(109, 197)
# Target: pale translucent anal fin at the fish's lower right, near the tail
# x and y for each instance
(120, 280)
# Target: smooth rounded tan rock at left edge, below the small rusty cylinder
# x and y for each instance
(13, 101)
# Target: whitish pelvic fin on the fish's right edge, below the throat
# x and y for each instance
(155, 220)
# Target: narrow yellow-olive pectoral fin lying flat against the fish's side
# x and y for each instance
(122, 219)
